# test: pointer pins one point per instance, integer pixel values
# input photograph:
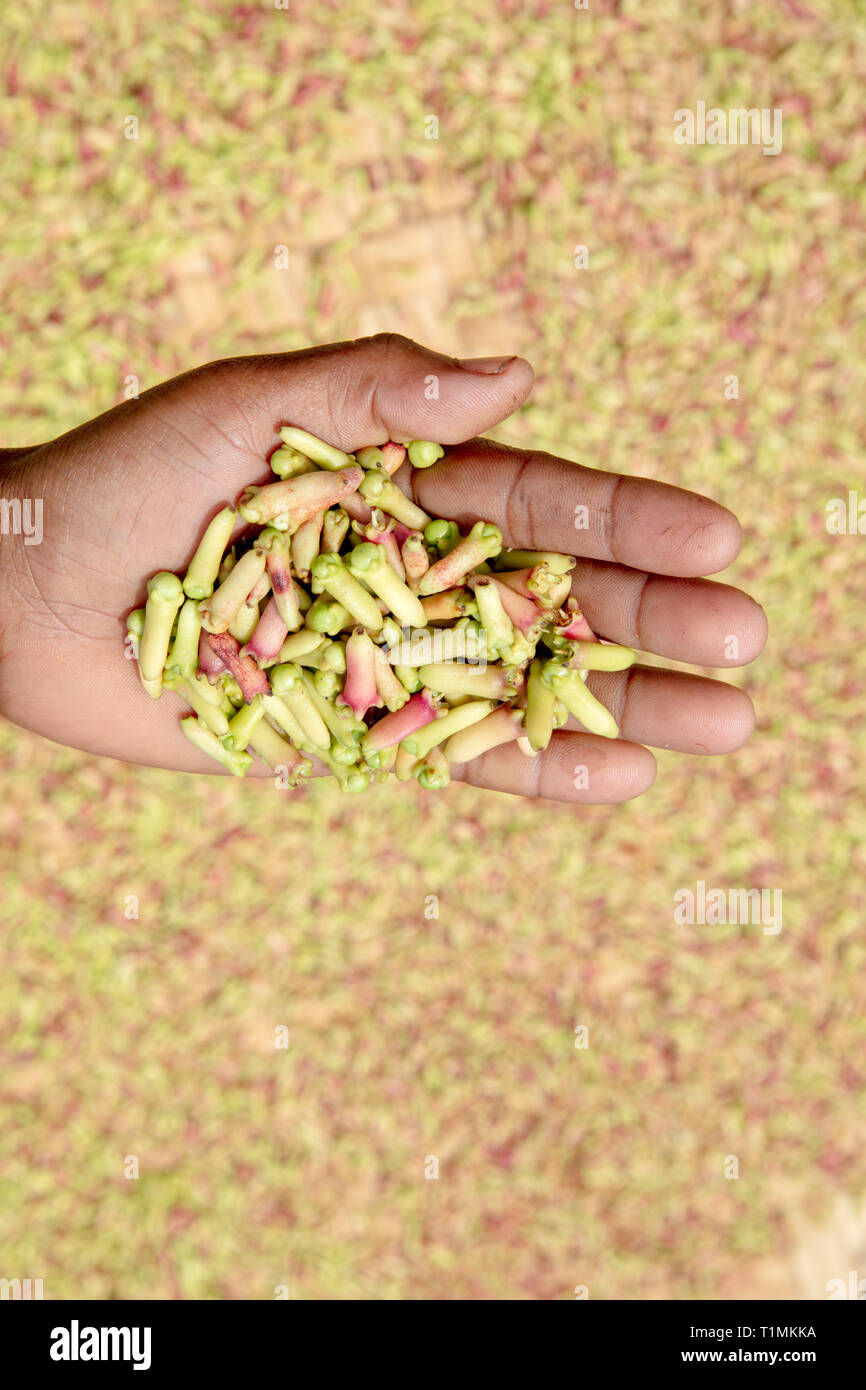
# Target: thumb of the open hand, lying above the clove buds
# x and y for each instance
(373, 390)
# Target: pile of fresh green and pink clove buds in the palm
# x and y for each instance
(350, 626)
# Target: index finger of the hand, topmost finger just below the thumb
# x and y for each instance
(548, 504)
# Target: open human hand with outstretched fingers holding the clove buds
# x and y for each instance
(130, 494)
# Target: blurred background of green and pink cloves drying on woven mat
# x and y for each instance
(418, 1038)
